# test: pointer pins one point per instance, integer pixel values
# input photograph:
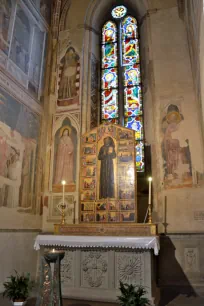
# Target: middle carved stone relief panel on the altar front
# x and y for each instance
(94, 269)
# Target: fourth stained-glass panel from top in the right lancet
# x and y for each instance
(133, 101)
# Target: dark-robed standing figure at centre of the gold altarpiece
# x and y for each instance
(106, 155)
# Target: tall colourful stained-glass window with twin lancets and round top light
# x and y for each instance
(121, 91)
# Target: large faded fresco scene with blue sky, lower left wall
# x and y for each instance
(19, 129)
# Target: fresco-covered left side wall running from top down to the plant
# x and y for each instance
(24, 27)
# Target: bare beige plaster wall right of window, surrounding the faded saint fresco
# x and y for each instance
(173, 84)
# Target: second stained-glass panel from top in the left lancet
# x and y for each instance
(109, 55)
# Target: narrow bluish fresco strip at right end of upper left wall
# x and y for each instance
(36, 61)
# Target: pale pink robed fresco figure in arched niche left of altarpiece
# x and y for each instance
(64, 159)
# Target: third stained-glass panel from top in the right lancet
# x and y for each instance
(132, 75)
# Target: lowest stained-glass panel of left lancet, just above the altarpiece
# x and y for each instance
(109, 104)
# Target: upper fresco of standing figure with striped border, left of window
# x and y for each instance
(69, 76)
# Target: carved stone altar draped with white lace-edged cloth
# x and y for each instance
(93, 266)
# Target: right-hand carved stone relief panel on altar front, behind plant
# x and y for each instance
(129, 268)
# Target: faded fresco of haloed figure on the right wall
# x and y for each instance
(175, 150)
